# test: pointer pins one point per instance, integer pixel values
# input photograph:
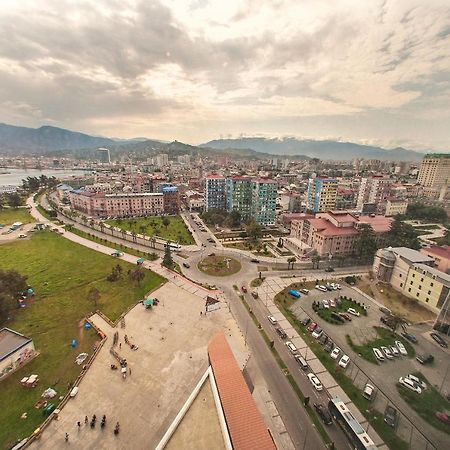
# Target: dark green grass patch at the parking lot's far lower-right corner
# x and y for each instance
(427, 403)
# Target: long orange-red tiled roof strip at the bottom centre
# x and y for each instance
(245, 424)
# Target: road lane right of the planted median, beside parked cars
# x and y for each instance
(299, 375)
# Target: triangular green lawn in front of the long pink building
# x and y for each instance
(176, 231)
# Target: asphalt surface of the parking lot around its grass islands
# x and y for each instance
(385, 375)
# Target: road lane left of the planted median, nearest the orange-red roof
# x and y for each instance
(291, 411)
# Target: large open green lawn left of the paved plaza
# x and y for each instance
(61, 273)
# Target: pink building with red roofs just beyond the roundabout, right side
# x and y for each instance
(333, 233)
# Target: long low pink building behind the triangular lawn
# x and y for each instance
(126, 204)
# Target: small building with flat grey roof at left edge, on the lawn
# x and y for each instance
(15, 350)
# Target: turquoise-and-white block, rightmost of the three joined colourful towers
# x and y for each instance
(264, 201)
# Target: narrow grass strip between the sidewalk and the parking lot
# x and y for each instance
(374, 417)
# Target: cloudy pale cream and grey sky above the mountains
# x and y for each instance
(367, 71)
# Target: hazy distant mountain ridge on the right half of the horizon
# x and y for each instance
(326, 149)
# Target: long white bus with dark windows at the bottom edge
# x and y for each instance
(352, 428)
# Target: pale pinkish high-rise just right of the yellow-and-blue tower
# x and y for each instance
(375, 191)
